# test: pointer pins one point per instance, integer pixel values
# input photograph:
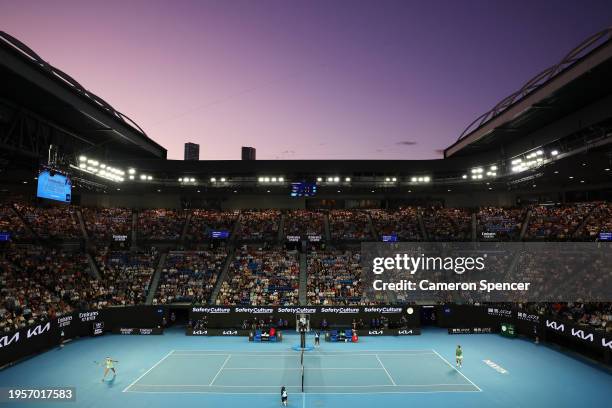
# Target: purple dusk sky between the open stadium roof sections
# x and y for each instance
(326, 79)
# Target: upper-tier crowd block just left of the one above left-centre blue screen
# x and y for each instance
(160, 224)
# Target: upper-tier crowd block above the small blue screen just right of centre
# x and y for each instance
(403, 223)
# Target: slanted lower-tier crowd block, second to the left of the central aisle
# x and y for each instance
(189, 276)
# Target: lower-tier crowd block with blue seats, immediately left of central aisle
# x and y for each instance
(261, 277)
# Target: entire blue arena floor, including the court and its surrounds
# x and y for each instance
(175, 370)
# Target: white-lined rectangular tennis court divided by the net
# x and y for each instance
(313, 372)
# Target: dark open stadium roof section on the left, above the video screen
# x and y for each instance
(31, 82)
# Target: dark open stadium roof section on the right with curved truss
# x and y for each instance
(582, 77)
